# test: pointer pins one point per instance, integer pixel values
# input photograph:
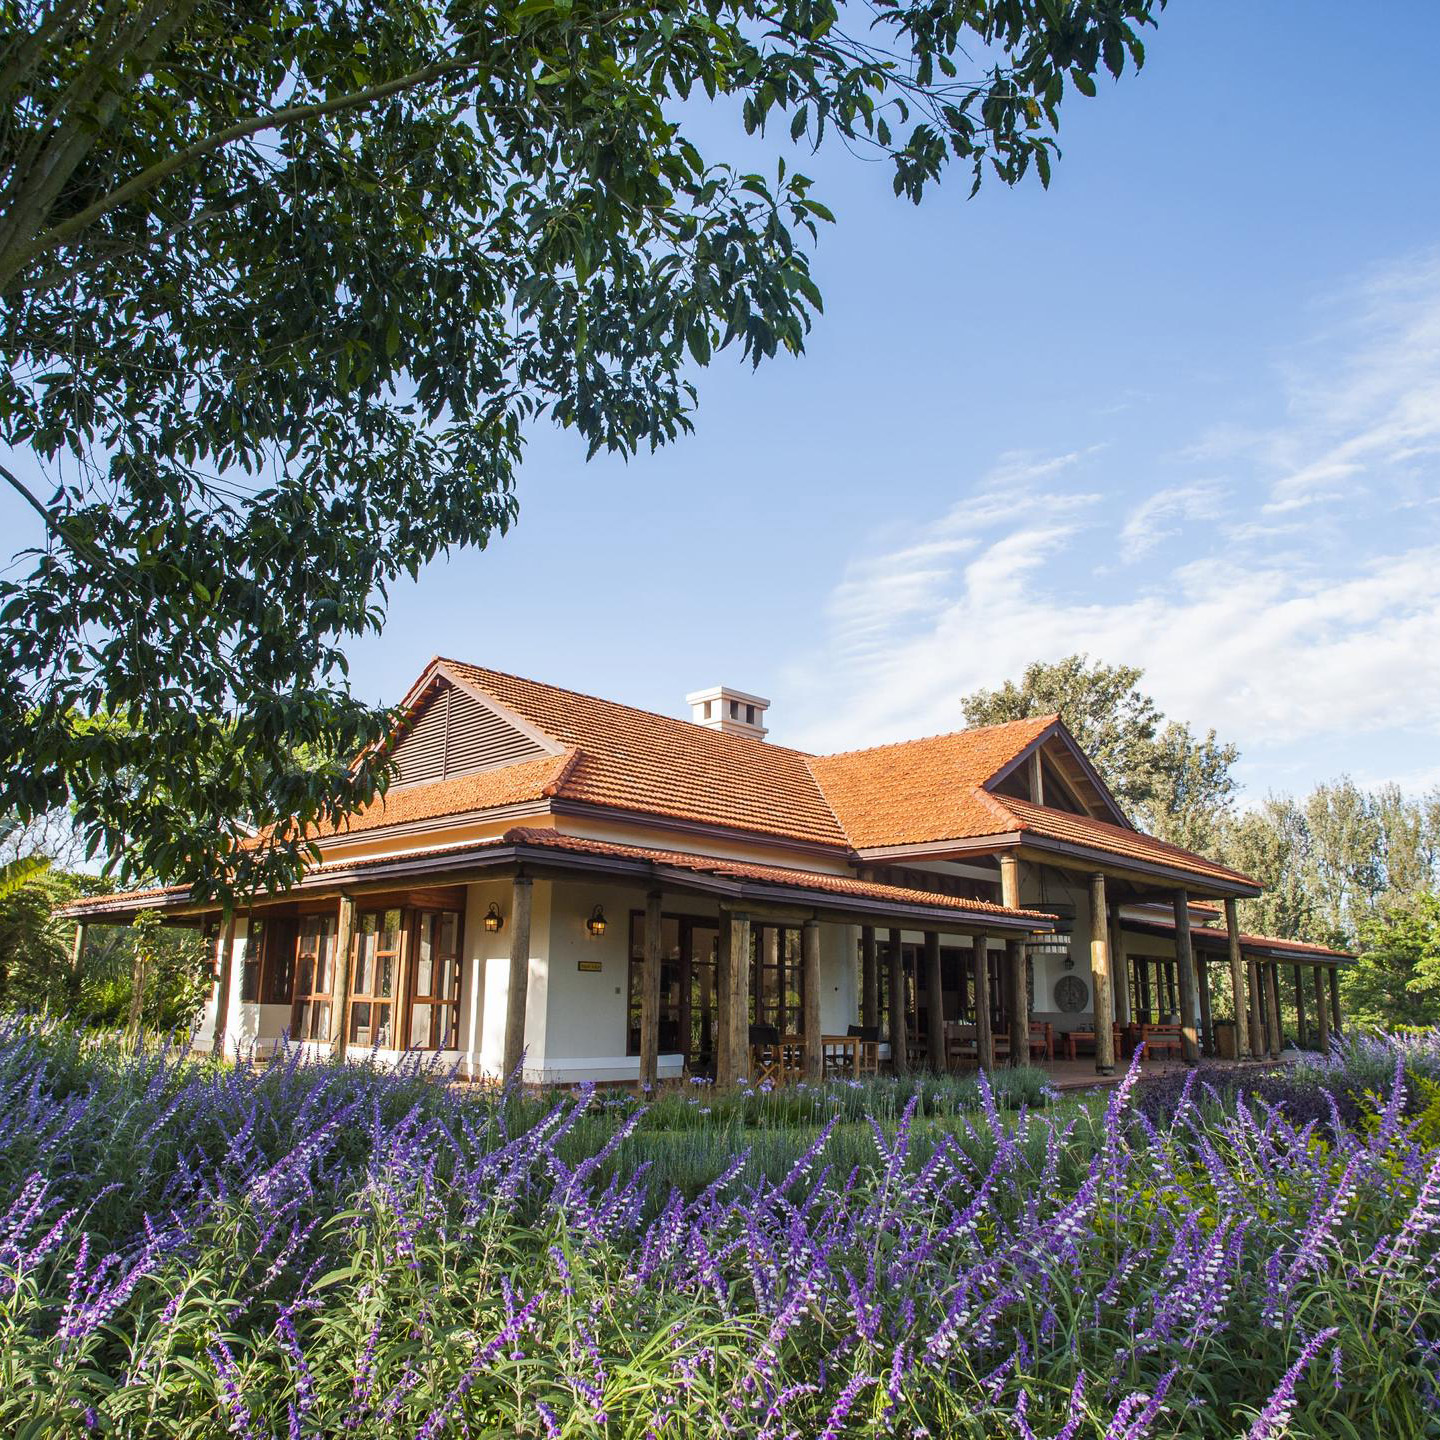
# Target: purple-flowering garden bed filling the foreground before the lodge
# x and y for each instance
(313, 1251)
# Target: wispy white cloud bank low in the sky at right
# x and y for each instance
(1292, 621)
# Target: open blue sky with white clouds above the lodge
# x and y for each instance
(1183, 411)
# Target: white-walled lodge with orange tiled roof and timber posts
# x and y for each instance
(617, 895)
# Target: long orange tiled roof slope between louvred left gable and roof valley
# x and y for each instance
(639, 761)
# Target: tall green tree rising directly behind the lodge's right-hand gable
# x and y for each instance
(1177, 784)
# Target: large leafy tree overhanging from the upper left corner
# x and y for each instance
(283, 286)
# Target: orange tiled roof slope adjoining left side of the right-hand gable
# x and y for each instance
(924, 790)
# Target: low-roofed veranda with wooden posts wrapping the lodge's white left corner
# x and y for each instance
(512, 954)
